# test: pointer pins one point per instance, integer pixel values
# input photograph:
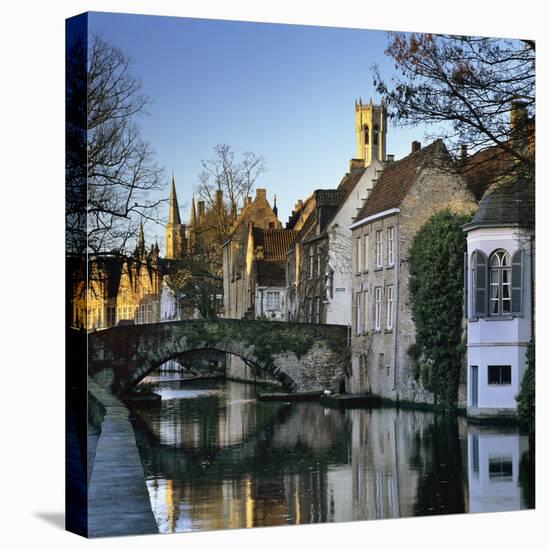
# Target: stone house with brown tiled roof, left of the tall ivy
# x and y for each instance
(407, 193)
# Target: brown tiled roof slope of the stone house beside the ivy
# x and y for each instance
(398, 178)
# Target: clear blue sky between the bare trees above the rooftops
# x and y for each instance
(285, 92)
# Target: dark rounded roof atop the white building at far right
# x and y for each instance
(511, 203)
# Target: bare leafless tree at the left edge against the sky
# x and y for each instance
(120, 172)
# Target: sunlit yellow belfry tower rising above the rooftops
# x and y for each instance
(371, 131)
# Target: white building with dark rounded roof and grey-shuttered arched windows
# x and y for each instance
(499, 277)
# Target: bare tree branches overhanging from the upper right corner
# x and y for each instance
(465, 87)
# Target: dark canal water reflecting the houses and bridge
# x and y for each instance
(215, 457)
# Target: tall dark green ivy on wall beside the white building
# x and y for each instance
(436, 296)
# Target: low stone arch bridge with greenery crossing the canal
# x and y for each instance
(303, 357)
